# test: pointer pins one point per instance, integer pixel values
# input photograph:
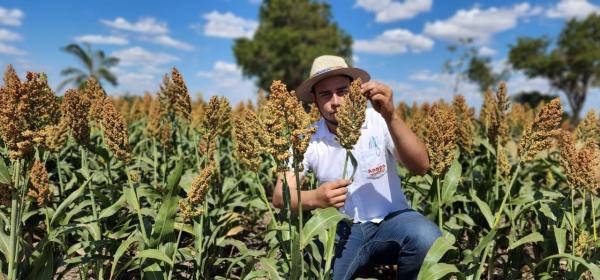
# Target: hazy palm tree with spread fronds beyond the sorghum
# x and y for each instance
(96, 64)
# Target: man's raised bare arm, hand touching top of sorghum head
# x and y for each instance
(410, 150)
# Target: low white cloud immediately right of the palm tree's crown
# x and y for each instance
(147, 60)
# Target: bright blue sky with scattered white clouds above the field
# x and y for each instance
(402, 43)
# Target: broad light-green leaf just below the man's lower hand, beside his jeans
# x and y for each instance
(322, 219)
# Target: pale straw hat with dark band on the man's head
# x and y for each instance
(326, 66)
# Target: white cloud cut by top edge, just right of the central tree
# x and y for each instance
(389, 10)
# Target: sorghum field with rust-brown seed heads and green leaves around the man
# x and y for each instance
(159, 187)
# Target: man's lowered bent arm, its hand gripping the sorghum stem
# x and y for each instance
(329, 194)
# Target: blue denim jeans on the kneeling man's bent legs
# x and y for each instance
(403, 238)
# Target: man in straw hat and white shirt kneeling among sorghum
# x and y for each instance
(385, 229)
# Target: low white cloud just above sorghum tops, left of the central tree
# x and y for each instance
(226, 79)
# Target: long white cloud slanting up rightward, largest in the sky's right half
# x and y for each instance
(478, 24)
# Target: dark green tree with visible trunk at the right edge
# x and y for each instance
(573, 66)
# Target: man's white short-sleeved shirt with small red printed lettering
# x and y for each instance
(375, 191)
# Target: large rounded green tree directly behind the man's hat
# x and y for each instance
(289, 36)
